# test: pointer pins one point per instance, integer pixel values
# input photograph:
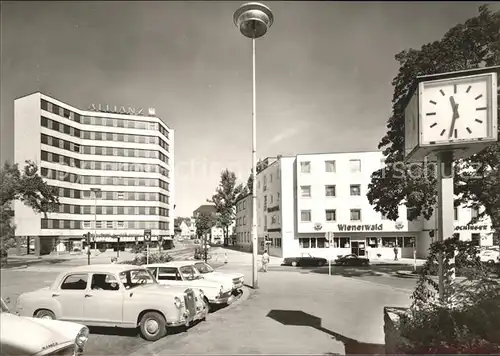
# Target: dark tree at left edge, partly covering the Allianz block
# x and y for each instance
(27, 187)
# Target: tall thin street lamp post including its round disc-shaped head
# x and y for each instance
(253, 20)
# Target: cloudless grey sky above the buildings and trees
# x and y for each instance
(324, 73)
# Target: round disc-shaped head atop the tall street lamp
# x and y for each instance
(253, 19)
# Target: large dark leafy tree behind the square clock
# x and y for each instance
(473, 44)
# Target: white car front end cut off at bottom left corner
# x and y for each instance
(40, 337)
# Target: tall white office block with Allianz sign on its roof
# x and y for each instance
(112, 167)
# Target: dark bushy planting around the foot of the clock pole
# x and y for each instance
(466, 320)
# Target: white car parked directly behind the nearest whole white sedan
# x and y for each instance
(184, 274)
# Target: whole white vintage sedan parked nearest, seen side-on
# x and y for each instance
(115, 295)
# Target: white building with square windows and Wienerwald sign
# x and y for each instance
(302, 198)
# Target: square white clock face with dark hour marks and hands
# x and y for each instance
(455, 110)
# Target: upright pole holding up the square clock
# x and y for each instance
(445, 211)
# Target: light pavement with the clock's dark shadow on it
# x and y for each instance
(292, 313)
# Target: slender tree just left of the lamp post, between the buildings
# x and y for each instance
(224, 199)
